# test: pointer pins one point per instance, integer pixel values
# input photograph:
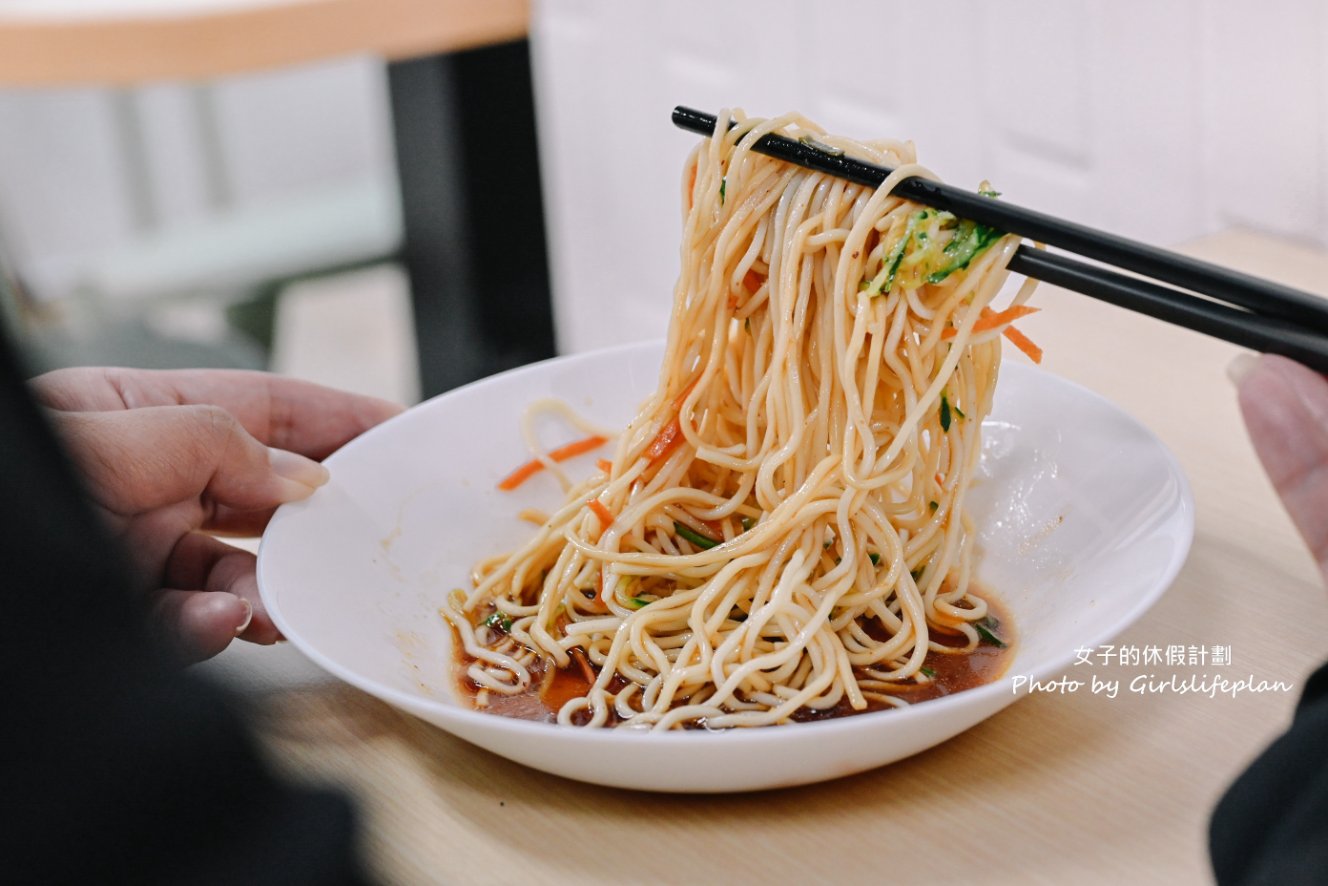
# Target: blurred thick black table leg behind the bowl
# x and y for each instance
(475, 234)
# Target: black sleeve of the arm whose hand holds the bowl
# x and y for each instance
(116, 767)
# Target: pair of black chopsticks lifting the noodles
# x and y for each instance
(1240, 309)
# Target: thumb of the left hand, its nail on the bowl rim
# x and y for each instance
(139, 460)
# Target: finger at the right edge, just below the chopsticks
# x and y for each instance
(1286, 412)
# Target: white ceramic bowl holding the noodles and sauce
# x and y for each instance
(1084, 521)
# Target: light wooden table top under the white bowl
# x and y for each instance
(1058, 788)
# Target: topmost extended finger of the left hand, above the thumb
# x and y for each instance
(288, 414)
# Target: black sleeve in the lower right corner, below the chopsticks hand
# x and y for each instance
(1273, 824)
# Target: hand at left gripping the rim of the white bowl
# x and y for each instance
(172, 459)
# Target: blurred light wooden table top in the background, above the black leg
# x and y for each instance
(135, 42)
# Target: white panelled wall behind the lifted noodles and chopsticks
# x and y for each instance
(1161, 122)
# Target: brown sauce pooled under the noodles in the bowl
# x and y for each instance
(952, 673)
